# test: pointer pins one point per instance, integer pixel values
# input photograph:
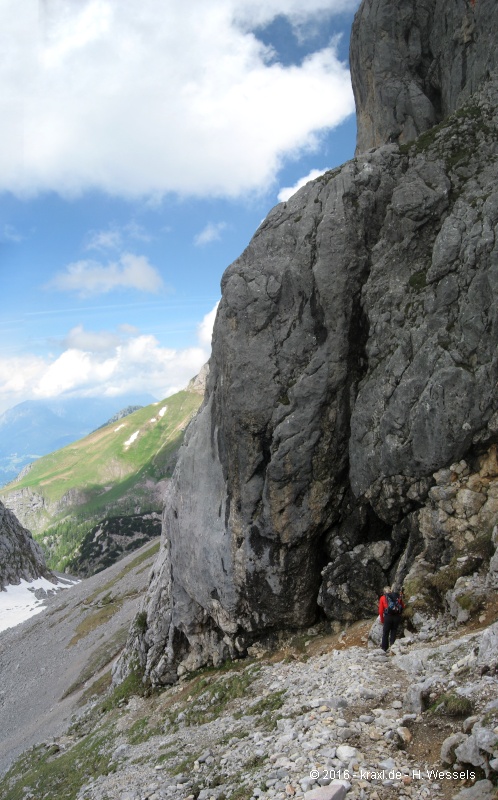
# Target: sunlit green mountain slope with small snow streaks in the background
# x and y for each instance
(119, 470)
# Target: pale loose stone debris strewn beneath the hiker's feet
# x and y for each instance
(337, 725)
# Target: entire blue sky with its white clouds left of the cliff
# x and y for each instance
(140, 149)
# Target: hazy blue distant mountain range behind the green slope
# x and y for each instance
(37, 427)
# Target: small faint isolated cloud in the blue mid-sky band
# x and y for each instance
(89, 277)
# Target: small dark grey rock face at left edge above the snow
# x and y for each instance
(21, 558)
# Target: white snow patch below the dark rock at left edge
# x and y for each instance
(20, 602)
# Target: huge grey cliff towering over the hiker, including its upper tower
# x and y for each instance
(354, 358)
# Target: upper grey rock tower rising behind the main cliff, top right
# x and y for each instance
(414, 65)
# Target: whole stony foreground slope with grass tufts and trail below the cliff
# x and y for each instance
(328, 715)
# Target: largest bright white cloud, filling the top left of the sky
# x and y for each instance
(142, 99)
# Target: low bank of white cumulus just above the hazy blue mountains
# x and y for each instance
(106, 364)
